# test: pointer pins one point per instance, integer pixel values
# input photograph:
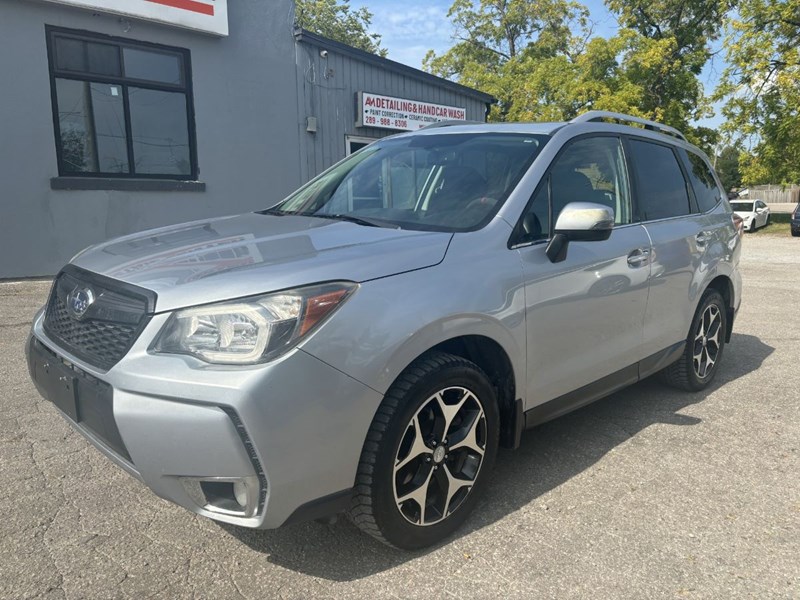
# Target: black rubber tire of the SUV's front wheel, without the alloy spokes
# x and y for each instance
(374, 508)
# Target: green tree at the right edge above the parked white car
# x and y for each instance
(762, 87)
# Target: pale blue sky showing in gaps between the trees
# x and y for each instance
(412, 27)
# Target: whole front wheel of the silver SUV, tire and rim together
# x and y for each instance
(393, 467)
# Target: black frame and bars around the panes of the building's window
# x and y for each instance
(186, 89)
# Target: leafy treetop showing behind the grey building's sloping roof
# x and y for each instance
(338, 21)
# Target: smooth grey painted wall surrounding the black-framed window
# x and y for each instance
(245, 101)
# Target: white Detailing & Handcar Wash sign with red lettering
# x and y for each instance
(386, 112)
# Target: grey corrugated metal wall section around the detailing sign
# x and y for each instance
(327, 86)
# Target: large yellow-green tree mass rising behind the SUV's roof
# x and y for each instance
(542, 61)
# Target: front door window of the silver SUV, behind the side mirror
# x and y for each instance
(587, 170)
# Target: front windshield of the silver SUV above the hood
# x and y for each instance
(442, 182)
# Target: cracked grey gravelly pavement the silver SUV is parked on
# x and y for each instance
(650, 493)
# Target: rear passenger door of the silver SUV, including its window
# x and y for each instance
(680, 236)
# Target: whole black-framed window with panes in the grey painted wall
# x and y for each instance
(121, 108)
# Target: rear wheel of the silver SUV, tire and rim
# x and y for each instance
(690, 374)
